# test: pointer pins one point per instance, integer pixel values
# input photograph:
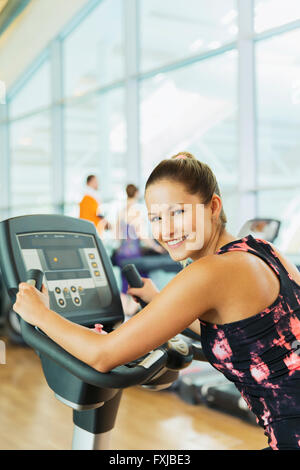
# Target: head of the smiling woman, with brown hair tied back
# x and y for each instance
(180, 228)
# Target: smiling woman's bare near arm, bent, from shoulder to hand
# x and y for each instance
(180, 303)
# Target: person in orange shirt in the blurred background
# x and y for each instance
(90, 205)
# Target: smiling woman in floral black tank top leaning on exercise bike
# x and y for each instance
(244, 294)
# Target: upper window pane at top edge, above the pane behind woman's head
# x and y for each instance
(176, 29)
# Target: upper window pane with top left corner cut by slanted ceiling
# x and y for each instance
(94, 51)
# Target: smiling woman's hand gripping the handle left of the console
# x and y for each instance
(31, 304)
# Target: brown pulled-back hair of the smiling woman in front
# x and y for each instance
(196, 176)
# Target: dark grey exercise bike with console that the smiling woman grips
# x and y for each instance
(70, 258)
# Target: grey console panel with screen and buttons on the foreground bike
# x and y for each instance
(72, 267)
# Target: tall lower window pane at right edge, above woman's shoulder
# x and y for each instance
(278, 121)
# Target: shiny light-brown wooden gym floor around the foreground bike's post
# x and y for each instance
(31, 418)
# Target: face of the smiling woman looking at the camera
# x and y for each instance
(180, 222)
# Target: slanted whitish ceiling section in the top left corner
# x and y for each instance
(31, 32)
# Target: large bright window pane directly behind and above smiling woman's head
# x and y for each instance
(193, 109)
